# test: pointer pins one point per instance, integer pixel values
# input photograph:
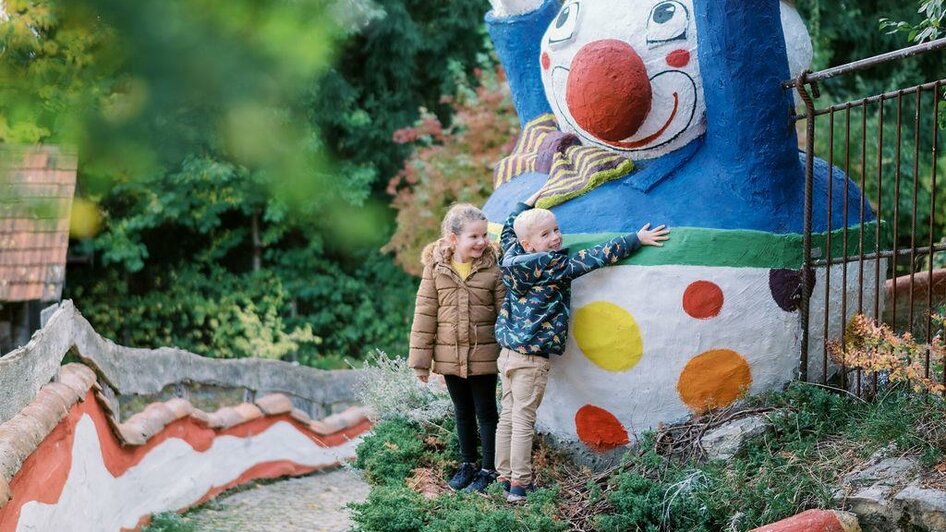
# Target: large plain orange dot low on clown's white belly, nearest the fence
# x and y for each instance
(713, 379)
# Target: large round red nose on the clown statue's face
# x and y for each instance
(608, 92)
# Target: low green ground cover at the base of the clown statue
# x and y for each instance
(815, 437)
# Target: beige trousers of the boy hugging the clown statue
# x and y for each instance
(523, 379)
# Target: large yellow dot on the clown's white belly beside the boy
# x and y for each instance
(608, 335)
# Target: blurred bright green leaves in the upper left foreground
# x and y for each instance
(137, 87)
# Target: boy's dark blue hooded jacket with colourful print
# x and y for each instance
(534, 316)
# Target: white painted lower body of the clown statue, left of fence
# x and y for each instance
(645, 393)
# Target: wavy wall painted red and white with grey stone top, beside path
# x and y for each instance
(69, 459)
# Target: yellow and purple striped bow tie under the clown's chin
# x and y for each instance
(573, 169)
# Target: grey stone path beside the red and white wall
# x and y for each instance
(313, 503)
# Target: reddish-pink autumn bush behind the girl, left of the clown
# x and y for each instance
(450, 164)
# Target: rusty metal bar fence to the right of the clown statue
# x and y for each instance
(889, 266)
